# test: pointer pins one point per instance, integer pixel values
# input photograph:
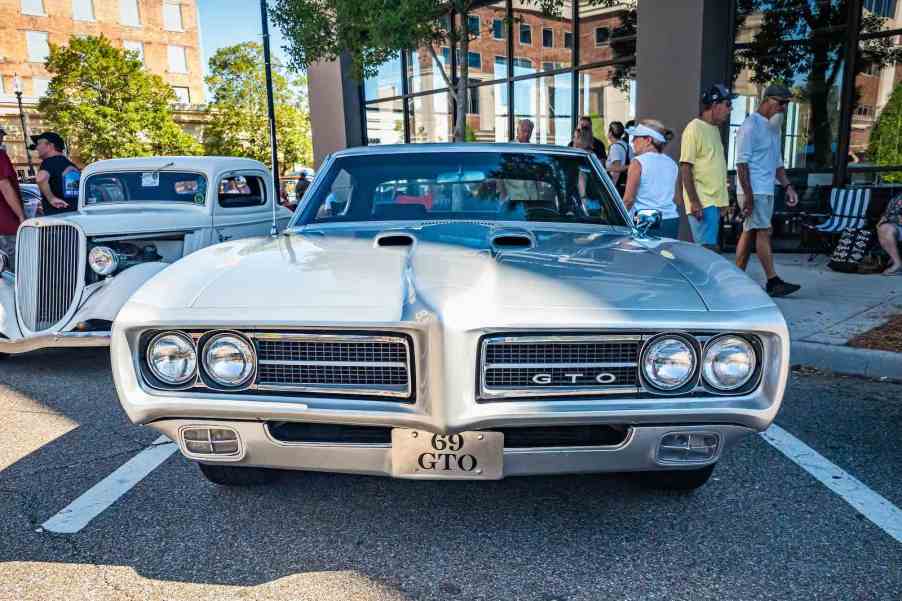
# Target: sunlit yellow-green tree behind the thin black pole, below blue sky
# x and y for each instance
(239, 123)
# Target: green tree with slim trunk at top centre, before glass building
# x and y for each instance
(373, 32)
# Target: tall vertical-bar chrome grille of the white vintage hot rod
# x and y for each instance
(47, 274)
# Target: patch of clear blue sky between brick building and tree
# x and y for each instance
(227, 22)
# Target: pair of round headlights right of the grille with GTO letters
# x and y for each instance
(671, 363)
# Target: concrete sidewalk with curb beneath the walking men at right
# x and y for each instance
(830, 309)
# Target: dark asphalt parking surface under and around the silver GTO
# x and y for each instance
(762, 528)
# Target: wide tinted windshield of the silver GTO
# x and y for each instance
(488, 186)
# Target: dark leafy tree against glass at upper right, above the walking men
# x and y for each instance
(816, 57)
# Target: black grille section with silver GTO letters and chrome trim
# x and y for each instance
(558, 366)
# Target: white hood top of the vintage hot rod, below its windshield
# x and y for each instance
(120, 219)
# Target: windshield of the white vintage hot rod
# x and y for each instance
(146, 186)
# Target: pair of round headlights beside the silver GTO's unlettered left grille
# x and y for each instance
(222, 359)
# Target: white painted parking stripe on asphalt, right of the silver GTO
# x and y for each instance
(867, 502)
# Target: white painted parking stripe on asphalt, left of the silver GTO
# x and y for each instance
(102, 495)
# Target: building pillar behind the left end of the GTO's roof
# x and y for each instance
(335, 108)
